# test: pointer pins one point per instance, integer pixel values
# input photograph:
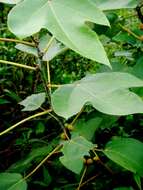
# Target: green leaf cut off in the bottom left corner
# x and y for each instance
(12, 181)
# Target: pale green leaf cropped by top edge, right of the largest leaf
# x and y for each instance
(112, 4)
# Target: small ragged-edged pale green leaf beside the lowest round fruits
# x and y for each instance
(73, 151)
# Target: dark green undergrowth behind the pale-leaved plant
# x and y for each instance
(23, 148)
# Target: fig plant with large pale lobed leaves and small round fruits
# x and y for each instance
(47, 29)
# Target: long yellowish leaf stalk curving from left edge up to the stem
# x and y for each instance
(24, 120)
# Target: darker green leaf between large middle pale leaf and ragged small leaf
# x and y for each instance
(87, 128)
